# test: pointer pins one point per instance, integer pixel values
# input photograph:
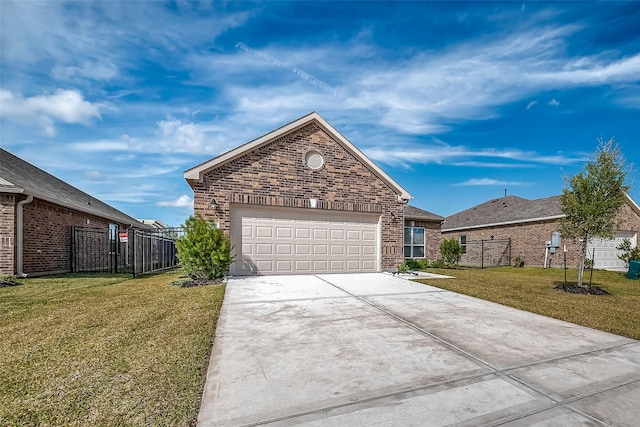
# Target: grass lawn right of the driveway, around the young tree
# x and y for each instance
(532, 289)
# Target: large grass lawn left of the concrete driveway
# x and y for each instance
(104, 350)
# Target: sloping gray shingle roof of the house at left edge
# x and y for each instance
(18, 176)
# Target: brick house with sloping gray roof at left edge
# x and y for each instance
(37, 211)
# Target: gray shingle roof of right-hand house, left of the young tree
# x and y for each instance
(509, 209)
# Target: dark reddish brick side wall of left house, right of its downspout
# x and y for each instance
(47, 241)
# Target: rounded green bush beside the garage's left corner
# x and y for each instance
(204, 251)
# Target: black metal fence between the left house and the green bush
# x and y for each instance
(134, 251)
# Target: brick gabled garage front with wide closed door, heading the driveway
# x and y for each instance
(302, 199)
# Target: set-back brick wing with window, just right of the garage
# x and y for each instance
(422, 235)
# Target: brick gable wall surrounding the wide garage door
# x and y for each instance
(276, 175)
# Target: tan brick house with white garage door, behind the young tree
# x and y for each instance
(529, 225)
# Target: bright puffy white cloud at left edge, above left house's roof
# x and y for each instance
(67, 106)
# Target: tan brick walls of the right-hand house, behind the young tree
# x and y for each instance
(528, 239)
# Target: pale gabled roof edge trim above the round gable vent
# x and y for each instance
(196, 173)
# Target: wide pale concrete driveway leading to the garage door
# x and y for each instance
(377, 350)
